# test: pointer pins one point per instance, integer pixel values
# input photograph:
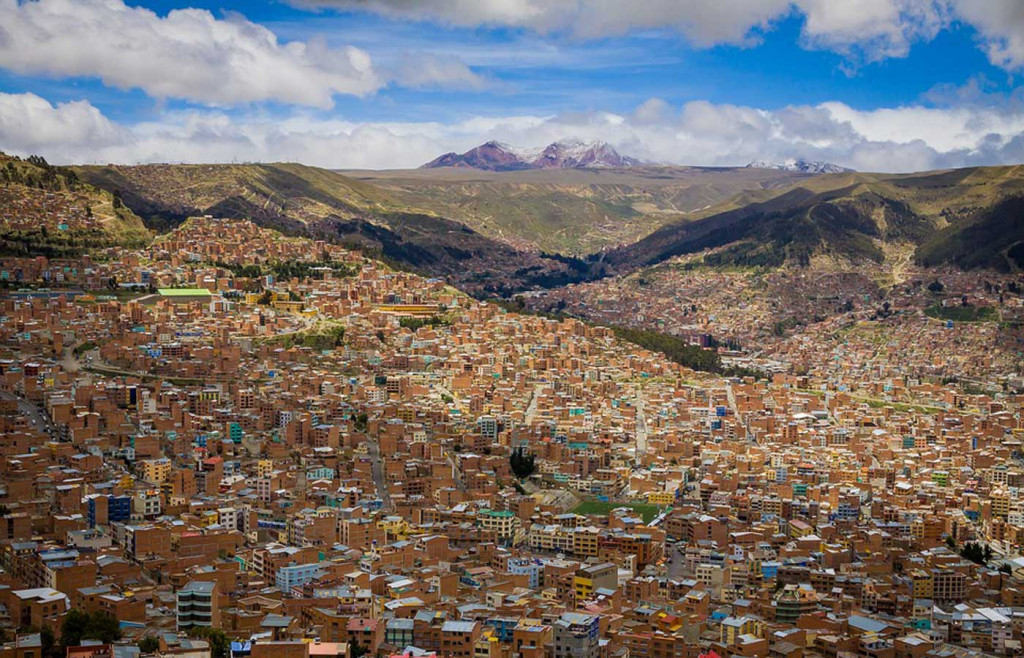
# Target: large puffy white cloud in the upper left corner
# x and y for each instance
(188, 55)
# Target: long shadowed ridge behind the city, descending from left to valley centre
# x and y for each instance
(322, 204)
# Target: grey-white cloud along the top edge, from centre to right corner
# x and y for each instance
(863, 31)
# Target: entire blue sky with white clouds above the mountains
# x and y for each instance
(875, 85)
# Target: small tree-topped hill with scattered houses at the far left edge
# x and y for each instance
(49, 211)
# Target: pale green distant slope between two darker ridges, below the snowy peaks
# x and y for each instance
(573, 211)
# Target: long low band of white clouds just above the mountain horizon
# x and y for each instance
(909, 139)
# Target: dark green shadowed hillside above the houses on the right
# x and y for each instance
(967, 217)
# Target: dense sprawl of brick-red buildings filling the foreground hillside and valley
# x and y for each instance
(317, 455)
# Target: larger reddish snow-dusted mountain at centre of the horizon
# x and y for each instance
(569, 154)
